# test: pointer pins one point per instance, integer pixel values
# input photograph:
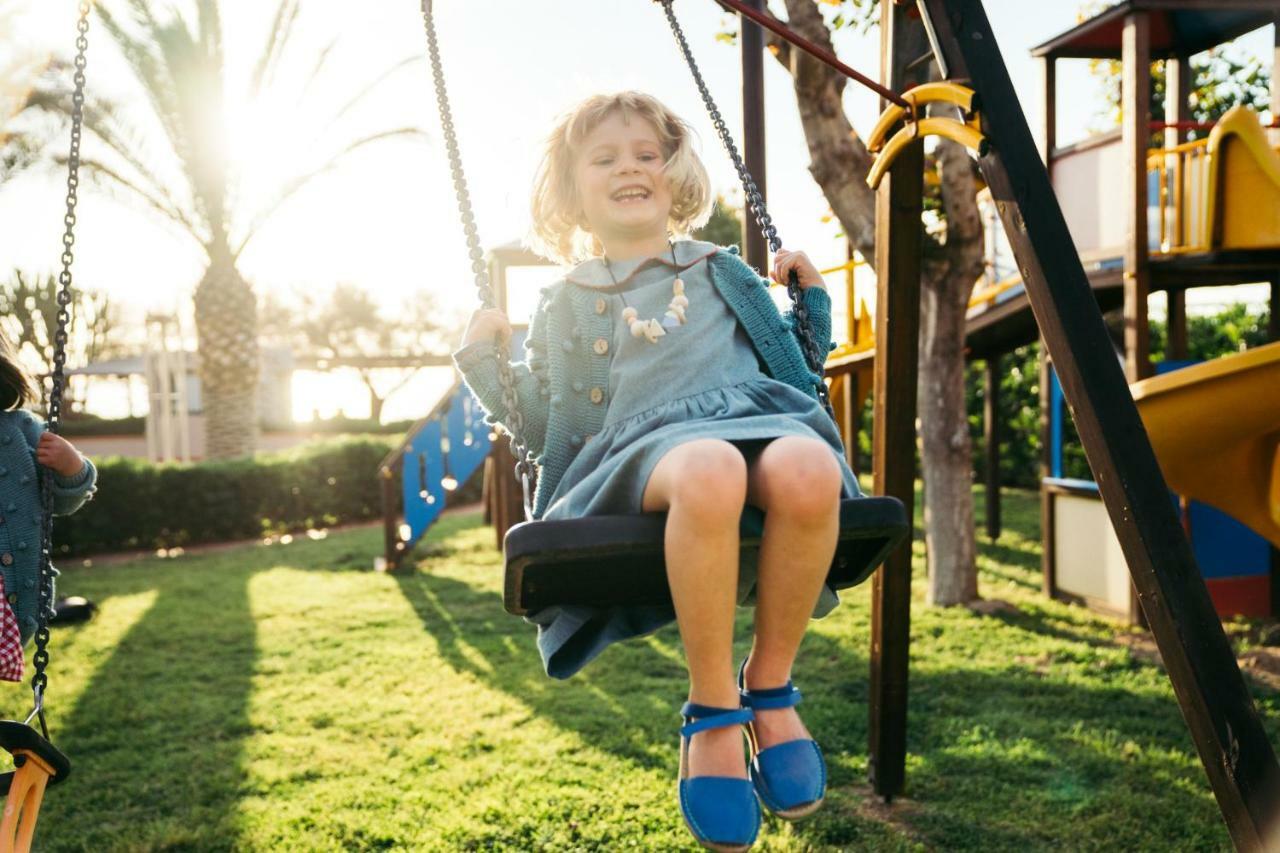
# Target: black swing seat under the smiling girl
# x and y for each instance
(610, 560)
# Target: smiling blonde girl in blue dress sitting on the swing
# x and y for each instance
(661, 377)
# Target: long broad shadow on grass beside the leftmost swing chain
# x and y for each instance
(163, 719)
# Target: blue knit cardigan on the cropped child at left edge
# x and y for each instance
(21, 514)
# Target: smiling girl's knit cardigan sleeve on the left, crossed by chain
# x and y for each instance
(478, 363)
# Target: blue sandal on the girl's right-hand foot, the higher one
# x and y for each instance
(790, 778)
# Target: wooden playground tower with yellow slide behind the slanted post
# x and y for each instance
(1204, 213)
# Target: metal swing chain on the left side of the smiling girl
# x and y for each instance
(506, 378)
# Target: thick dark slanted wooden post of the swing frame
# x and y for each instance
(1224, 724)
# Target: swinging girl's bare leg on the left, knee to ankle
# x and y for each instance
(702, 485)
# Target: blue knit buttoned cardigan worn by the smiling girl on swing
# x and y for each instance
(564, 361)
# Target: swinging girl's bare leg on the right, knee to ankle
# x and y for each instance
(797, 482)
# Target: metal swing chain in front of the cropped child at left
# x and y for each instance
(40, 679)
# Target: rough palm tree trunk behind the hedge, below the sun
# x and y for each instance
(227, 336)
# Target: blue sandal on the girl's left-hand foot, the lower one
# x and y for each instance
(720, 811)
